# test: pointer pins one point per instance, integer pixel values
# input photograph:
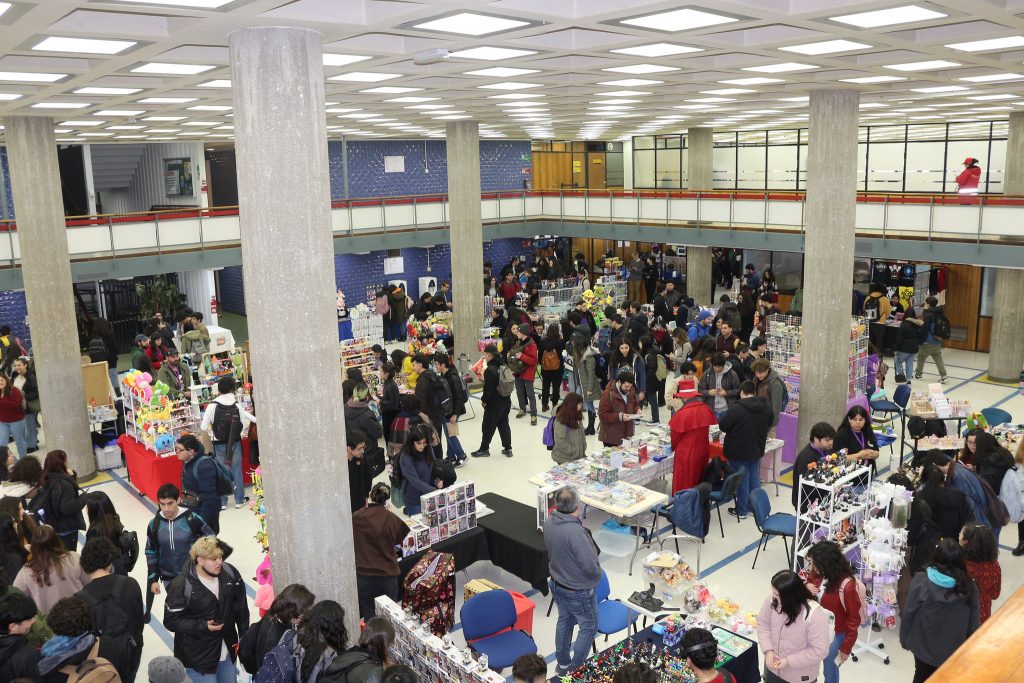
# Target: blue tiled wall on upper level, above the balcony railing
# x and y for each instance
(502, 163)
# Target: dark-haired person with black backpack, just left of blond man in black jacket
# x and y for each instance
(117, 608)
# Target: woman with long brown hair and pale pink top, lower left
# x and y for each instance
(53, 572)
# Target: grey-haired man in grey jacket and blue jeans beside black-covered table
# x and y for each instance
(576, 572)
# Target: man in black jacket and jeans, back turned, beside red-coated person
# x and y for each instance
(746, 425)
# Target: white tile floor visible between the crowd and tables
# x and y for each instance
(727, 562)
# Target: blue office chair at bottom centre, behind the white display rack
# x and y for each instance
(489, 625)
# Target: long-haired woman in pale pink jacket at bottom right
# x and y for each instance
(793, 631)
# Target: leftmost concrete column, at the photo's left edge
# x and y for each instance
(42, 236)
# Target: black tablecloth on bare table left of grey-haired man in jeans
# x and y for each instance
(514, 542)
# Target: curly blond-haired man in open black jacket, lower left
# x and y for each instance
(207, 613)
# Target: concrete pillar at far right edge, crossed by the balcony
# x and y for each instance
(1006, 355)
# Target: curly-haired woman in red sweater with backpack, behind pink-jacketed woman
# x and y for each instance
(841, 593)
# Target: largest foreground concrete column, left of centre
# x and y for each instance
(288, 261)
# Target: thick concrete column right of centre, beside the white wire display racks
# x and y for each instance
(832, 201)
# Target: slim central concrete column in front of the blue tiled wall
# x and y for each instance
(466, 234)
